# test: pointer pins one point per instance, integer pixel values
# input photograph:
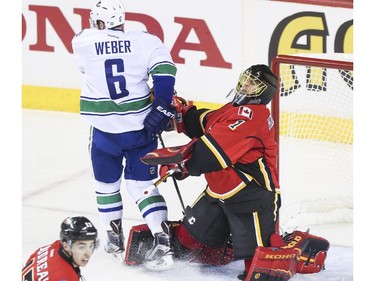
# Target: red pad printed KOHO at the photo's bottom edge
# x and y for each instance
(273, 264)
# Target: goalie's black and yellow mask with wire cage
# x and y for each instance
(256, 85)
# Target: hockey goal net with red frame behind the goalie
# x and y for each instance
(313, 112)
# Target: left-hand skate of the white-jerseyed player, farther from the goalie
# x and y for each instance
(115, 241)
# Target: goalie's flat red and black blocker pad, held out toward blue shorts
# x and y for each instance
(169, 155)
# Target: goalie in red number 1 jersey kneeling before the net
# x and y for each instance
(236, 216)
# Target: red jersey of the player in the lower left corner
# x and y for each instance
(50, 263)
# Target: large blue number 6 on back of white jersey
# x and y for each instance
(115, 81)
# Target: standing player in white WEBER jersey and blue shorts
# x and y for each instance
(125, 119)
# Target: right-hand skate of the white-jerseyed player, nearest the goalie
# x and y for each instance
(160, 256)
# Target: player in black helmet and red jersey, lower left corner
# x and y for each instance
(63, 259)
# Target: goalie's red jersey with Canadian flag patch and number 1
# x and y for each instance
(236, 145)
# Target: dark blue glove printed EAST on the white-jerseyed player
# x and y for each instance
(158, 118)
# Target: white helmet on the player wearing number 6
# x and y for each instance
(111, 12)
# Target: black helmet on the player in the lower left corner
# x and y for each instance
(77, 228)
